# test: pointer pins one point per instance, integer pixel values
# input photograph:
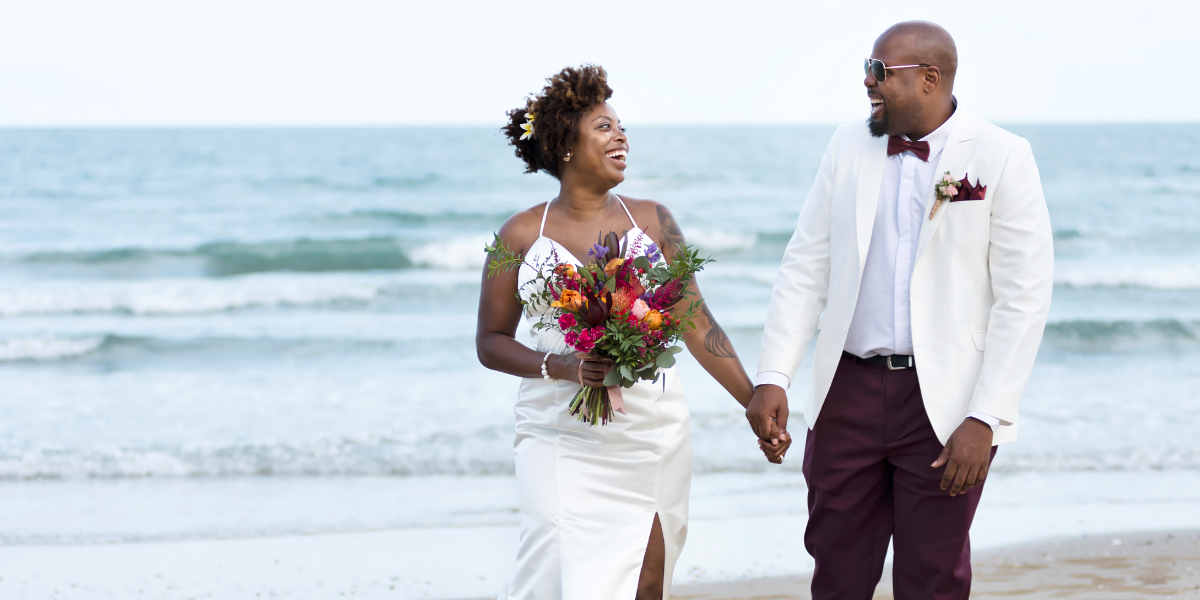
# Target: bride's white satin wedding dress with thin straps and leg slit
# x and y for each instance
(590, 494)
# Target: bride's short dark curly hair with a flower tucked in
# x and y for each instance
(557, 112)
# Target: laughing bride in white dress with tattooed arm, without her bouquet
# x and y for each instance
(604, 509)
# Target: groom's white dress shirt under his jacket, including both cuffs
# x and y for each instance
(881, 323)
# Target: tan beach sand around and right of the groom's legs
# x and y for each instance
(1111, 567)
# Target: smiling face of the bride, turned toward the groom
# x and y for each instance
(601, 147)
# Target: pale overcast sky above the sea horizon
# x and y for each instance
(465, 63)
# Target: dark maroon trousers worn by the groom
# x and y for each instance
(867, 463)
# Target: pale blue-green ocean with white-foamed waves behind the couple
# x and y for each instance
(238, 333)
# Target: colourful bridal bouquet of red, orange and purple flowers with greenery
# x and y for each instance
(617, 310)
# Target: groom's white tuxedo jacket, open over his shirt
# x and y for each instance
(981, 285)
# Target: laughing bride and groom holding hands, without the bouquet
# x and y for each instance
(923, 263)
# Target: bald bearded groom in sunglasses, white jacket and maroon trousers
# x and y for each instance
(926, 251)
